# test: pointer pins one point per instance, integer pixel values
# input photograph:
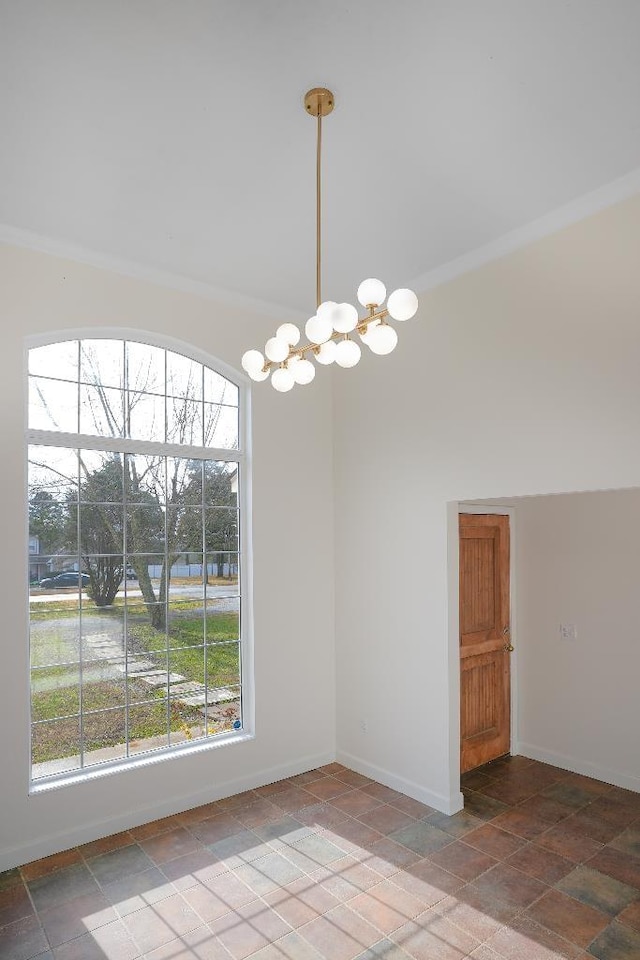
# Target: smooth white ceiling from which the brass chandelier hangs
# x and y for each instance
(171, 133)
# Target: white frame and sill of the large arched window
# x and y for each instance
(241, 456)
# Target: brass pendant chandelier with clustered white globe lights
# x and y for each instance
(329, 330)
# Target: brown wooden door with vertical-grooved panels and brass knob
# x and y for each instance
(485, 639)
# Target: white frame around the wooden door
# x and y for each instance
(453, 535)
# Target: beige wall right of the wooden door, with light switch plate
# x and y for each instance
(578, 562)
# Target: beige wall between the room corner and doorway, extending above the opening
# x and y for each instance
(518, 378)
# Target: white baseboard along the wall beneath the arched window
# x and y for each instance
(85, 832)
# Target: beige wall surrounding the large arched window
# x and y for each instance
(293, 556)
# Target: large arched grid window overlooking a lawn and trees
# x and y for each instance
(135, 473)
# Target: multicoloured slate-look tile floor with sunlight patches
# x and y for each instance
(541, 864)
